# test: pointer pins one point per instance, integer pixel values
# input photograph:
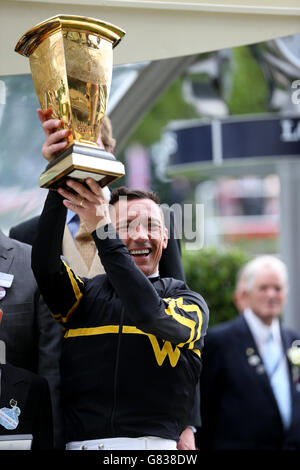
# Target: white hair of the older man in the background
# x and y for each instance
(253, 268)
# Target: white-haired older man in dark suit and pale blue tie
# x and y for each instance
(250, 389)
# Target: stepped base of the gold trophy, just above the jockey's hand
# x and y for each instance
(80, 161)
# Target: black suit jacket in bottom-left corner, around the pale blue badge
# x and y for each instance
(31, 392)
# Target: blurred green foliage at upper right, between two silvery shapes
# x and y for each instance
(248, 90)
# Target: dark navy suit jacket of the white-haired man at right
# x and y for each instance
(238, 408)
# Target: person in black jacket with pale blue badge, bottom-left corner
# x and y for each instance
(25, 404)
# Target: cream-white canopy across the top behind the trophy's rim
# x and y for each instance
(155, 29)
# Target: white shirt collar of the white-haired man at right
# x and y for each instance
(260, 331)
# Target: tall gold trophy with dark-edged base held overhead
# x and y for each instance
(71, 62)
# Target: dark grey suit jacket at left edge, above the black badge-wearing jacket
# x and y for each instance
(32, 337)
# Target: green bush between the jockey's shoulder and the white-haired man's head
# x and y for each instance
(212, 272)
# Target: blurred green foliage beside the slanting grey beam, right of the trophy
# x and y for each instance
(169, 106)
